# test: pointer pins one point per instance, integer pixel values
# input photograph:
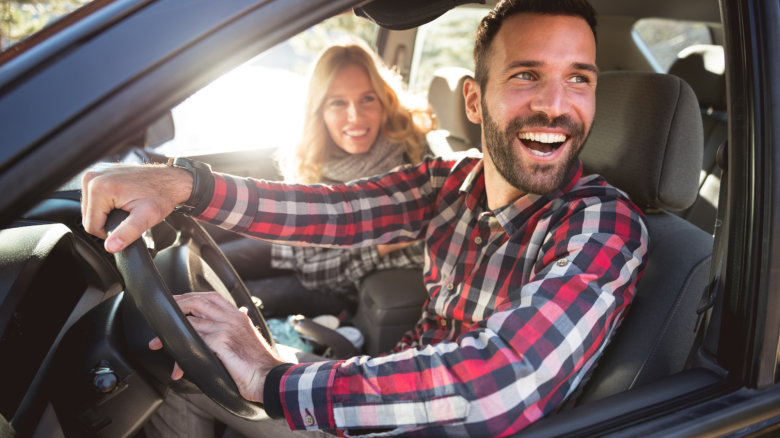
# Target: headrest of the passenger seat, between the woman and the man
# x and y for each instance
(446, 97)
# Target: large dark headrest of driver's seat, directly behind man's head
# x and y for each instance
(647, 138)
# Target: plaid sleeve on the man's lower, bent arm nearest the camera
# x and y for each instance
(503, 372)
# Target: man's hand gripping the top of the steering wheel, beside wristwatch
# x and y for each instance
(148, 192)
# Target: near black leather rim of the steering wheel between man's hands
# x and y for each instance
(151, 296)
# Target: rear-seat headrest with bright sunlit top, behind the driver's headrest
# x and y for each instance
(703, 66)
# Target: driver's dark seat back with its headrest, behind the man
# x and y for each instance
(647, 141)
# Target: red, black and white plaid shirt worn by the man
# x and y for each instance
(522, 299)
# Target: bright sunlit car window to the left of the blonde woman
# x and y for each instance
(259, 104)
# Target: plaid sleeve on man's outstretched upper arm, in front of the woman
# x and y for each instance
(394, 207)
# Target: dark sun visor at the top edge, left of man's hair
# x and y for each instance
(407, 14)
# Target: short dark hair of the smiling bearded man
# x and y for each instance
(488, 28)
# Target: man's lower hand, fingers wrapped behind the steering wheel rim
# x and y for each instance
(232, 337)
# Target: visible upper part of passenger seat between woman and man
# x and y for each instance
(456, 132)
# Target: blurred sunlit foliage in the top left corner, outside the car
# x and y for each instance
(22, 18)
